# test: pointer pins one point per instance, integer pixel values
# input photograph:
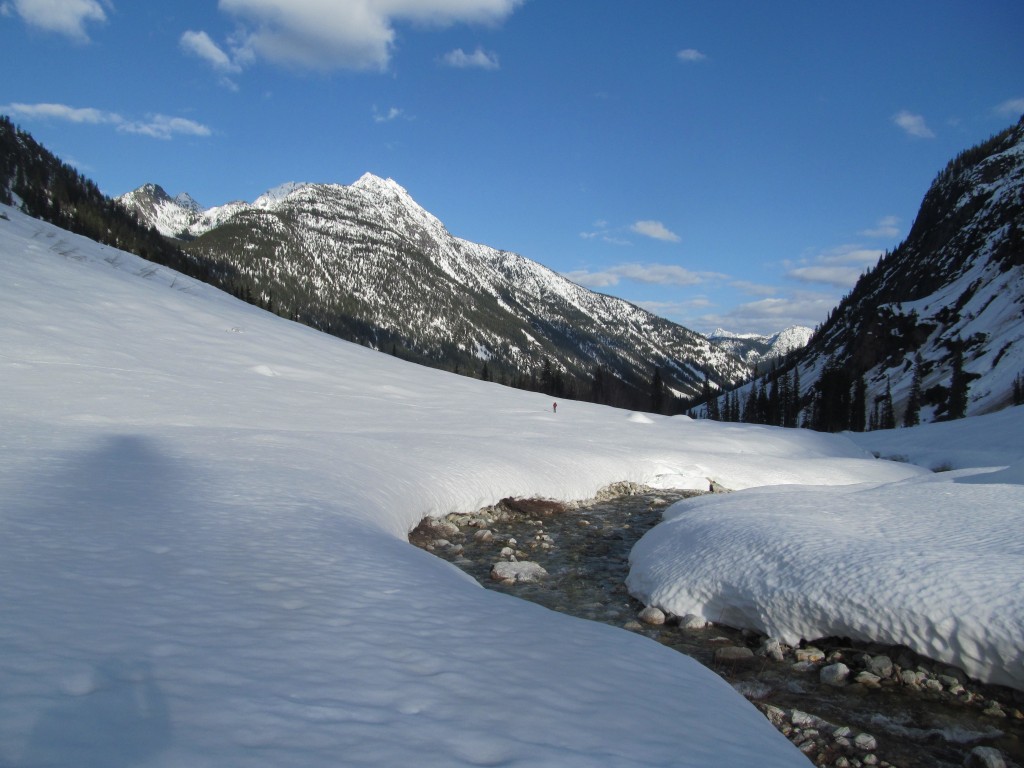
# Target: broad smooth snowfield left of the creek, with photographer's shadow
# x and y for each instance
(203, 559)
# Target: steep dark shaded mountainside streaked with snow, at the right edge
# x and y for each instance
(957, 282)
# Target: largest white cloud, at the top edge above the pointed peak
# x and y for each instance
(328, 35)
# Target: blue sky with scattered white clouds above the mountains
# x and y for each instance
(734, 164)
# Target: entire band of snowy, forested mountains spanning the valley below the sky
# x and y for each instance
(934, 331)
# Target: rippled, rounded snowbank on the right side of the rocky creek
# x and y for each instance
(933, 563)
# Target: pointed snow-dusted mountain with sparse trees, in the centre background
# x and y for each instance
(366, 263)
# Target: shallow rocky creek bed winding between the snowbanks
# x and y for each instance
(585, 551)
